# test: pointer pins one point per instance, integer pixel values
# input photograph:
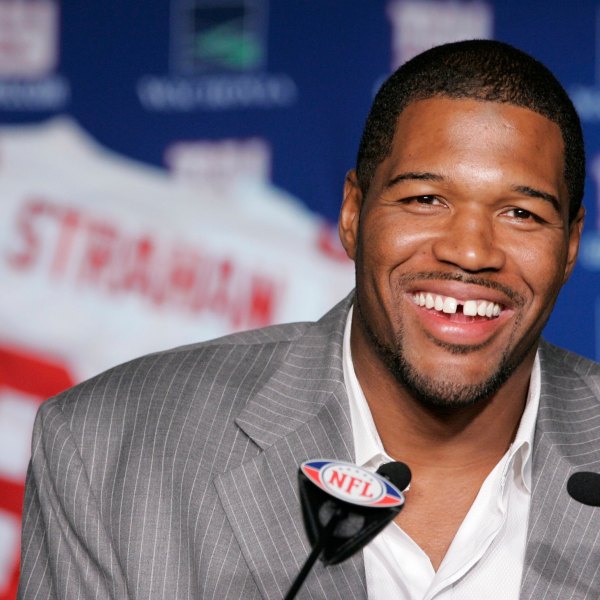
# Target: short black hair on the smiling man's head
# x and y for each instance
(486, 70)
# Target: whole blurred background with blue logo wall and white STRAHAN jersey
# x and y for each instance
(171, 171)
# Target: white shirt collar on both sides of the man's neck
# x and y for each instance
(369, 450)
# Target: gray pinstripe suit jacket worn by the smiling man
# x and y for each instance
(174, 476)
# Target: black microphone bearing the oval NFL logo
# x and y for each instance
(344, 507)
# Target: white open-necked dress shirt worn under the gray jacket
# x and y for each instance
(485, 559)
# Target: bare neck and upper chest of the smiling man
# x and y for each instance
(450, 450)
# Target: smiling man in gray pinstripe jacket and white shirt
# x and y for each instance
(175, 475)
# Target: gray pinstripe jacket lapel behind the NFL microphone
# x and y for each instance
(300, 413)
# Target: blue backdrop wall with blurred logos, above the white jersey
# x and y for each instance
(298, 75)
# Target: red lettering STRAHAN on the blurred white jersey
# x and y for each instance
(86, 251)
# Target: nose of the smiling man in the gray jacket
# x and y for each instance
(469, 241)
